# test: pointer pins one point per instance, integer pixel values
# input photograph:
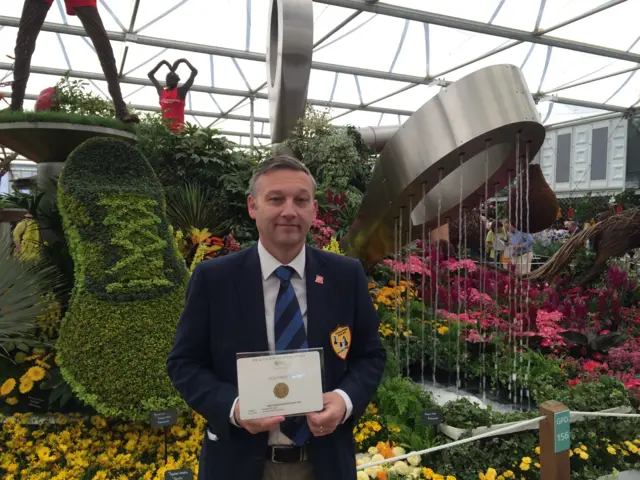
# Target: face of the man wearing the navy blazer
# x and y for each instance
(283, 207)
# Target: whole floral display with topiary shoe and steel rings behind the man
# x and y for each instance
(127, 207)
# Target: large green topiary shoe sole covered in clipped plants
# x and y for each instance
(129, 286)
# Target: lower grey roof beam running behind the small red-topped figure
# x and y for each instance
(59, 72)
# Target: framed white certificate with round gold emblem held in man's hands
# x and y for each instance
(281, 384)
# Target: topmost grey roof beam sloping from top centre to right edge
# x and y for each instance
(480, 27)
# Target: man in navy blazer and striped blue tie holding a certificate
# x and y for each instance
(232, 307)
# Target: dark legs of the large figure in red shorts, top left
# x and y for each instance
(34, 13)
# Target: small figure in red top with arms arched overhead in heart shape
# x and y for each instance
(172, 98)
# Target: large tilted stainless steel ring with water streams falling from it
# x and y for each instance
(478, 119)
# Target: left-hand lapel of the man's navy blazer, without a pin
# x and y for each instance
(248, 283)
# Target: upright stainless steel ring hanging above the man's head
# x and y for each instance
(289, 52)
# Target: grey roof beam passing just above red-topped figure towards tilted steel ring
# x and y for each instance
(212, 50)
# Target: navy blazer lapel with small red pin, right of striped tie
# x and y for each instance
(317, 300)
